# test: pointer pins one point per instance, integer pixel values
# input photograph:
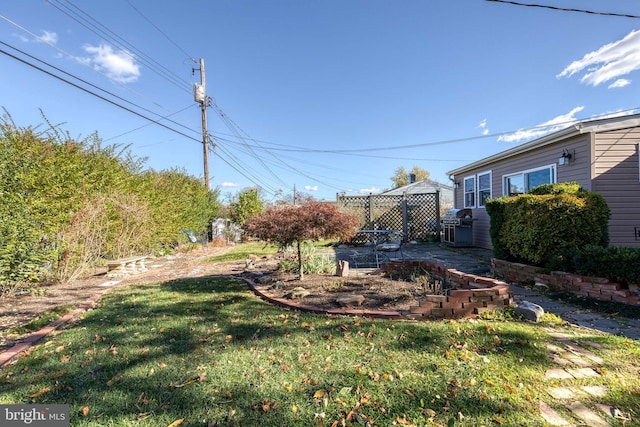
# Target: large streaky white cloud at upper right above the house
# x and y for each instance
(609, 62)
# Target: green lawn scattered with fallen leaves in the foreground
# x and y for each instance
(205, 352)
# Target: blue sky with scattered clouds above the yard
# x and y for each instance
(328, 96)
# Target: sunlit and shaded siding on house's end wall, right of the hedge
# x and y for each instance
(616, 175)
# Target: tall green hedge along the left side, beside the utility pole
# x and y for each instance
(66, 205)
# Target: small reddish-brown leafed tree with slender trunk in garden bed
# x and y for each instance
(312, 221)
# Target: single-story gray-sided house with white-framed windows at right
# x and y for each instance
(601, 155)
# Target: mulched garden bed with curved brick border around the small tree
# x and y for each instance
(396, 287)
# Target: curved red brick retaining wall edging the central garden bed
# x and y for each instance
(472, 295)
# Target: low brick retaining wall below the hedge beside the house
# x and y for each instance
(593, 287)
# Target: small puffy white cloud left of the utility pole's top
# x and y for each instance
(117, 65)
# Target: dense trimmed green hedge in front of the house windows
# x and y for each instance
(549, 221)
